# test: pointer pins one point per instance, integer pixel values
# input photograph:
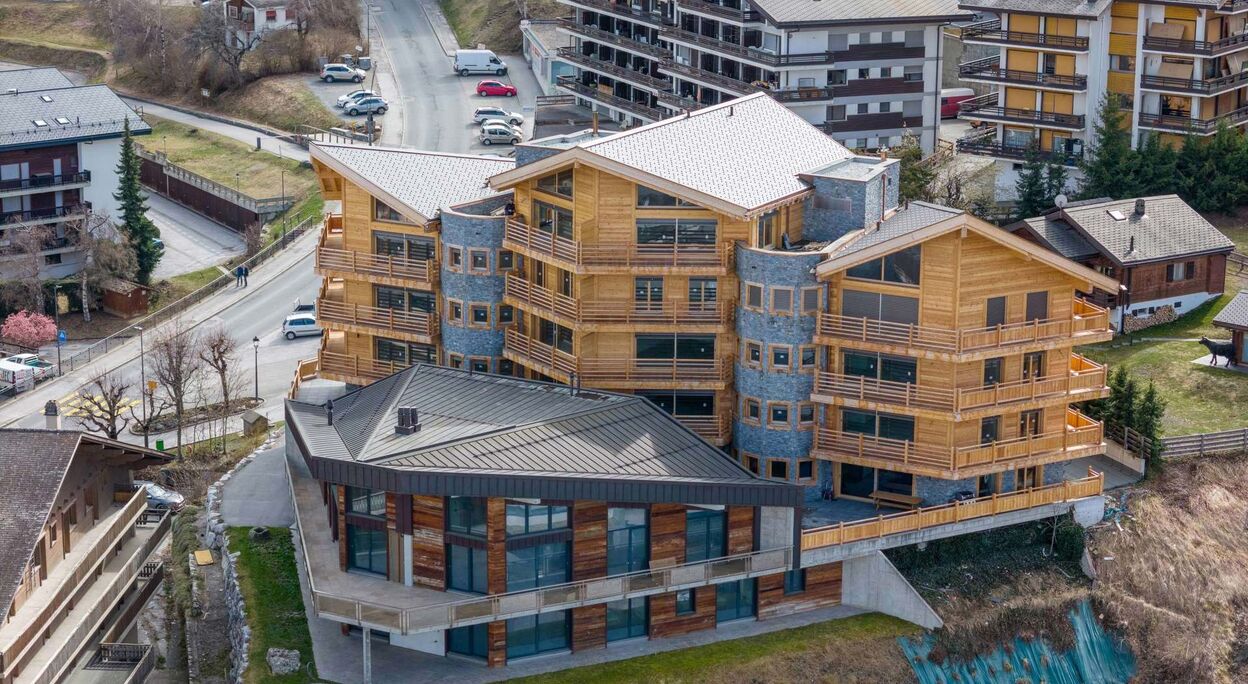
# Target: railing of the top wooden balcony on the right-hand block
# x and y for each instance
(1086, 320)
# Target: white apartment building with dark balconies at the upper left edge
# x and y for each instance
(59, 152)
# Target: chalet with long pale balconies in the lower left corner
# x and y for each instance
(80, 555)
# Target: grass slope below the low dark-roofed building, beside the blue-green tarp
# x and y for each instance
(786, 656)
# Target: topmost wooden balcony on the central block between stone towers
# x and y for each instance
(617, 259)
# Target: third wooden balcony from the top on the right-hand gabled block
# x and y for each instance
(1081, 437)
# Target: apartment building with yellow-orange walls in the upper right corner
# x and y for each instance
(1177, 68)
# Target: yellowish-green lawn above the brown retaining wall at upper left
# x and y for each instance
(228, 162)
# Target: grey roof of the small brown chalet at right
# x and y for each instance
(1170, 229)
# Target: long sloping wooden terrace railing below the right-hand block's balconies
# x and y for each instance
(953, 514)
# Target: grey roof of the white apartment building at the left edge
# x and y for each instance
(90, 112)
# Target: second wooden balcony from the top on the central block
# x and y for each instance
(622, 314)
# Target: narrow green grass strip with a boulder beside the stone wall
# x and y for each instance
(270, 587)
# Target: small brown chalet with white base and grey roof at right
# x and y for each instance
(1168, 258)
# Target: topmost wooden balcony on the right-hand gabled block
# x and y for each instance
(1089, 324)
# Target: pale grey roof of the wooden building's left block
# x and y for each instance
(424, 182)
